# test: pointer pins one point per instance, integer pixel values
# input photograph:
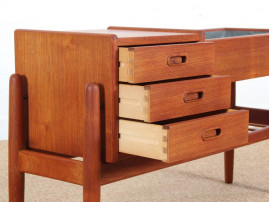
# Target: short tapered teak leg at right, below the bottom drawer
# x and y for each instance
(228, 164)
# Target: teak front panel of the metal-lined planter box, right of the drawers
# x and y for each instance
(242, 57)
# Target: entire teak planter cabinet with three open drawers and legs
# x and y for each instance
(129, 101)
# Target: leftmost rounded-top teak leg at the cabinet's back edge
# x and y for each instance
(16, 139)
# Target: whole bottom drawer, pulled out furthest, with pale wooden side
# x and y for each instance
(186, 139)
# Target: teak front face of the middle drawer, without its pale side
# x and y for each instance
(174, 99)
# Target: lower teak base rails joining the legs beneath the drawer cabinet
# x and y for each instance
(128, 166)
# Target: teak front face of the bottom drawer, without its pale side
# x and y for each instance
(234, 132)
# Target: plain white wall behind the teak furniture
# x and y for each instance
(83, 15)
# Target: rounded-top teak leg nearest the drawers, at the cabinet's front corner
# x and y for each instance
(91, 154)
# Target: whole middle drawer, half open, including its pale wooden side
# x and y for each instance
(163, 101)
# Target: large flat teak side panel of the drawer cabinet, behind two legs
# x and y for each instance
(57, 66)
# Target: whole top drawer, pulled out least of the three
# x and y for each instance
(154, 63)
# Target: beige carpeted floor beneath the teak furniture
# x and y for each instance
(199, 180)
